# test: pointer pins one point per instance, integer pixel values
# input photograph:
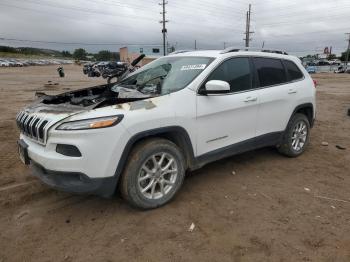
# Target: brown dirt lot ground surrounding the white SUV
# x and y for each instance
(272, 209)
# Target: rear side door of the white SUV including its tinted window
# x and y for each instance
(278, 93)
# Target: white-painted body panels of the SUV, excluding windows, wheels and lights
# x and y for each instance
(231, 117)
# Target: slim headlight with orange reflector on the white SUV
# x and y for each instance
(91, 123)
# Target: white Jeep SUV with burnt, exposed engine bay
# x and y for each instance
(175, 114)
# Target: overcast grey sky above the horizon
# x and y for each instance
(297, 26)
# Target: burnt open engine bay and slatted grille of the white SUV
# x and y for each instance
(35, 120)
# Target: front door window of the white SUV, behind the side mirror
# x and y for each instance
(236, 72)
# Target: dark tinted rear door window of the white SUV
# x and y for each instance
(270, 71)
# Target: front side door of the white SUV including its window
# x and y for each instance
(227, 119)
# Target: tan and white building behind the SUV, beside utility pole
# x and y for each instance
(130, 53)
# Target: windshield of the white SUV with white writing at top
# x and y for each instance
(165, 75)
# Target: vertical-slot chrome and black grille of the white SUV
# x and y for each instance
(32, 126)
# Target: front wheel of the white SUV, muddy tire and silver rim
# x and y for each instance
(140, 172)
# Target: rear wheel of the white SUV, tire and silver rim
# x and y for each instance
(296, 137)
